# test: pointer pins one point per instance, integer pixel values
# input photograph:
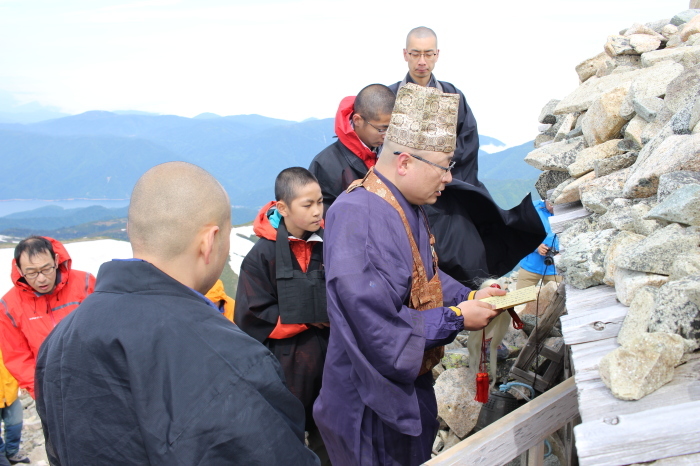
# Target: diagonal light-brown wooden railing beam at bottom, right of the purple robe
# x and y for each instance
(517, 432)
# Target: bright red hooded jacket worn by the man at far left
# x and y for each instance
(27, 317)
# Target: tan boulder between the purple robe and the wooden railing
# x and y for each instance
(455, 391)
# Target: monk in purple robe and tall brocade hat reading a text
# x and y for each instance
(391, 309)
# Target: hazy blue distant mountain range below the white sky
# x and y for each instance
(101, 154)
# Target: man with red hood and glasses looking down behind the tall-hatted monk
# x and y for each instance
(360, 125)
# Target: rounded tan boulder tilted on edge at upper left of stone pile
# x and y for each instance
(603, 122)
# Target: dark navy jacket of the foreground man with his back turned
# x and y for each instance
(146, 372)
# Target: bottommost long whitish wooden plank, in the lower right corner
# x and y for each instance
(645, 436)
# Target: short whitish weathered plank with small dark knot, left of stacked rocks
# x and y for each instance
(592, 326)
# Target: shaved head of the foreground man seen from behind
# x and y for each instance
(170, 204)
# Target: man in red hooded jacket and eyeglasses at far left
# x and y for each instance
(46, 289)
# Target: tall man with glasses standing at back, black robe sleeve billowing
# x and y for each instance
(476, 239)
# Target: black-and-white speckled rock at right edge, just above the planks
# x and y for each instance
(678, 309)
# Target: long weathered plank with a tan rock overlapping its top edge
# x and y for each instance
(596, 402)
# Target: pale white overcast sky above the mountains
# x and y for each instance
(297, 59)
